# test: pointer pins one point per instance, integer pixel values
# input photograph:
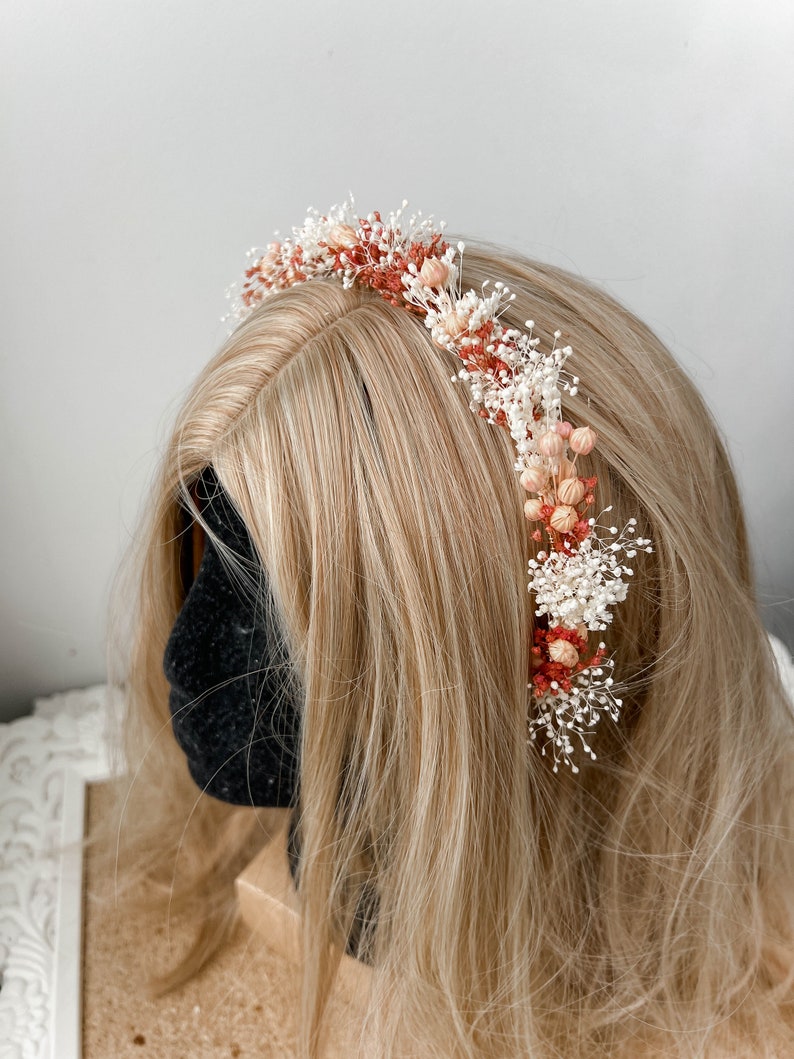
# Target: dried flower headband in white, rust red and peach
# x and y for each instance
(580, 578)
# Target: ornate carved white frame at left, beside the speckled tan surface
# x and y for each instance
(45, 764)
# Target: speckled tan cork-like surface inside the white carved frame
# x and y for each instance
(243, 1004)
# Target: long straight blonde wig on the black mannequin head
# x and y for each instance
(643, 907)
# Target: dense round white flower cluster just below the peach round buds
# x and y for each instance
(582, 587)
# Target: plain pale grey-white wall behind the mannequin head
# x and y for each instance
(646, 145)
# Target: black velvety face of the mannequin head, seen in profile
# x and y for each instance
(232, 712)
